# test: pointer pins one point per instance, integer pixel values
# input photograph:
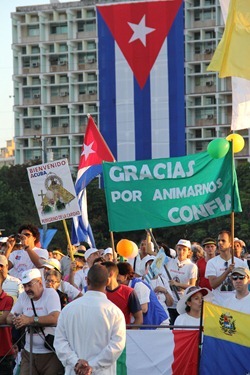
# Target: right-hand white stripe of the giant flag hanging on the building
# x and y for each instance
(160, 105)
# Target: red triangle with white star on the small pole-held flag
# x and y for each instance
(94, 149)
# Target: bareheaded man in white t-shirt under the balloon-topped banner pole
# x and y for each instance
(219, 268)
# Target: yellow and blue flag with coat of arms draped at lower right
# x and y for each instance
(226, 345)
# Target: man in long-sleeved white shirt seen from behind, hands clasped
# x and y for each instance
(91, 331)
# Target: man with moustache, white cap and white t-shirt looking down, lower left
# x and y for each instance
(37, 308)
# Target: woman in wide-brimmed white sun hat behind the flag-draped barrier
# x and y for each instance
(189, 306)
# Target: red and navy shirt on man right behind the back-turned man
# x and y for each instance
(126, 299)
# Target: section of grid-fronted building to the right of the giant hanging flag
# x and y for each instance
(208, 98)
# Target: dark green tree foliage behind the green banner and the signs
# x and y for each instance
(17, 207)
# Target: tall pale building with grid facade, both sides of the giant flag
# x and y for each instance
(56, 79)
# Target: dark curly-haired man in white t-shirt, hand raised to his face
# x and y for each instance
(31, 256)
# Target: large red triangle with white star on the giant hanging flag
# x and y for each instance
(140, 29)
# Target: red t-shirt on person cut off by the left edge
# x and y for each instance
(6, 303)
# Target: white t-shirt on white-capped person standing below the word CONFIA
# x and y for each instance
(181, 272)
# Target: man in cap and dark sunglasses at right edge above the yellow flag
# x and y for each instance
(240, 301)
